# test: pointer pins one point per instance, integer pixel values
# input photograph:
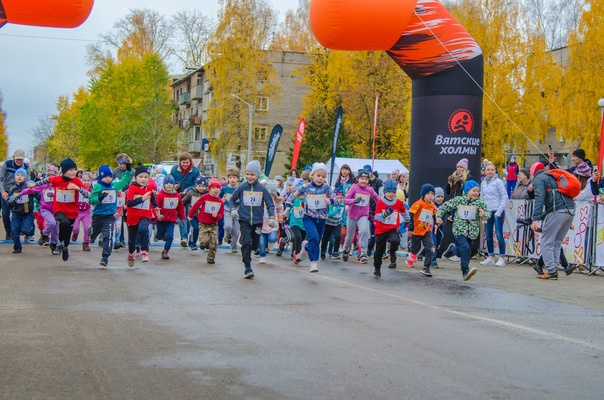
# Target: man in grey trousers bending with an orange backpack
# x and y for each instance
(555, 207)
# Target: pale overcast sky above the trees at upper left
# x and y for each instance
(35, 69)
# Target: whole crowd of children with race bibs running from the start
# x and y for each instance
(303, 213)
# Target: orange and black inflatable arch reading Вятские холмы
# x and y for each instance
(444, 62)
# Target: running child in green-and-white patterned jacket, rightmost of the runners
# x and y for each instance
(469, 211)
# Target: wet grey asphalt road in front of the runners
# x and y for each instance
(182, 329)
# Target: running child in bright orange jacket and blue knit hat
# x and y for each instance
(420, 227)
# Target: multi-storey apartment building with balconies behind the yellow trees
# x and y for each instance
(193, 94)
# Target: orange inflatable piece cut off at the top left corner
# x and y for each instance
(49, 13)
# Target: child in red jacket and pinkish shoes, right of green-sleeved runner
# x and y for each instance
(139, 200)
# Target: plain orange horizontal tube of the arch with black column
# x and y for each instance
(360, 24)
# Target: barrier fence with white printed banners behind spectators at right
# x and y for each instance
(583, 244)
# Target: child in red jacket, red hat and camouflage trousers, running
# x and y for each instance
(211, 210)
